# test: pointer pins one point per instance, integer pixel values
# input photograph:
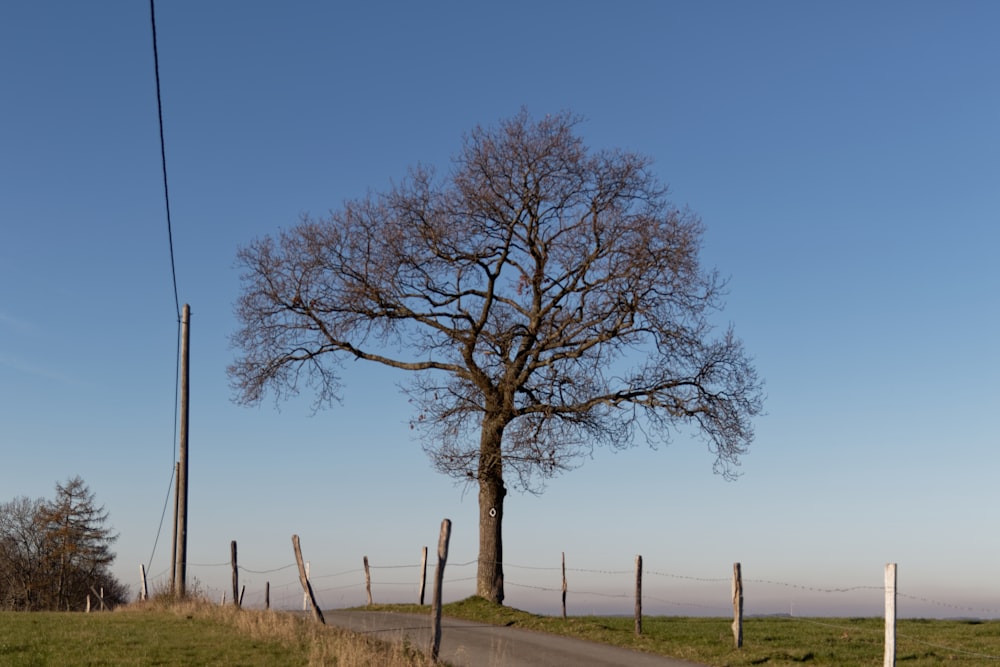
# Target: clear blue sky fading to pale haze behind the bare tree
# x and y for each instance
(845, 160)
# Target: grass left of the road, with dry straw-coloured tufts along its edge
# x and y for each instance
(195, 633)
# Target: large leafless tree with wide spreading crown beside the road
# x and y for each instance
(548, 299)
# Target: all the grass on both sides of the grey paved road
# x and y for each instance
(200, 633)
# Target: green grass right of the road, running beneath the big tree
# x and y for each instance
(766, 641)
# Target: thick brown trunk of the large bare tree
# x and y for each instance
(489, 579)
